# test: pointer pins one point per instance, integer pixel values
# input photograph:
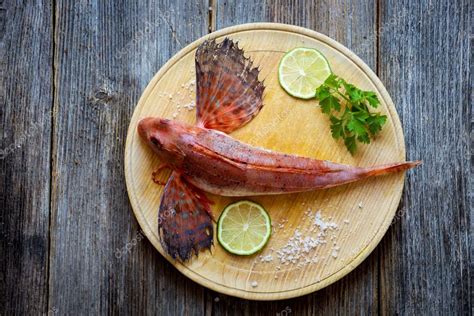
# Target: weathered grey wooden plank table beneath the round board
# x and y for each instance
(71, 74)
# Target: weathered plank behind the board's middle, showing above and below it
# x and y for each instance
(352, 24)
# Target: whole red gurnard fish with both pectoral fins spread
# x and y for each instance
(204, 158)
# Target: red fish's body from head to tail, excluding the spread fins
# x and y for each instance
(217, 163)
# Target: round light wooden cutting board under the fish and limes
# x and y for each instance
(318, 237)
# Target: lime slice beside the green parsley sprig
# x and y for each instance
(301, 71)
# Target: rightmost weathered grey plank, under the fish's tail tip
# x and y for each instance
(425, 65)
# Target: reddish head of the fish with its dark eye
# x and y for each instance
(165, 137)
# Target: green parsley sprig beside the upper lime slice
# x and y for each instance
(348, 109)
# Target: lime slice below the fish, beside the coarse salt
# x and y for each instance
(243, 228)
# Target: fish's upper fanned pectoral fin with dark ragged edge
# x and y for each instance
(229, 93)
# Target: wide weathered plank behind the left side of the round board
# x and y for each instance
(106, 54)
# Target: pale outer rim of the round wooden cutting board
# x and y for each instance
(249, 294)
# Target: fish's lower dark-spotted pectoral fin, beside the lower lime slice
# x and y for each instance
(184, 219)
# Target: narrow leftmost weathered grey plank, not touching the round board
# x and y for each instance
(25, 140)
